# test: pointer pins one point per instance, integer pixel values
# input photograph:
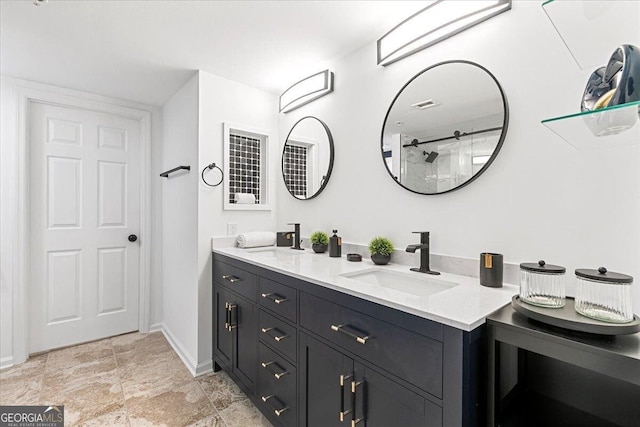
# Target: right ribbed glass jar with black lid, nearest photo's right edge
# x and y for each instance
(604, 295)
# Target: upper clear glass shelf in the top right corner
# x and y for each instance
(593, 29)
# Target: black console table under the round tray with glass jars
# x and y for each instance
(563, 378)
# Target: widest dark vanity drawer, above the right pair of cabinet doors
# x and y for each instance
(410, 356)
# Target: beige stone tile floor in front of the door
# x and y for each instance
(128, 380)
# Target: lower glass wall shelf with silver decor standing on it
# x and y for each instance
(610, 127)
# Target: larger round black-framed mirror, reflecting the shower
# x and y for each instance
(444, 128)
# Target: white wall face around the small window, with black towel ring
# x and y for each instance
(223, 100)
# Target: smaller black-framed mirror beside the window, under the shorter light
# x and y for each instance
(307, 158)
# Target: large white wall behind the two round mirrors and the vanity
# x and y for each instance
(540, 199)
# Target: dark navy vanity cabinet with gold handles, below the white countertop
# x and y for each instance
(310, 356)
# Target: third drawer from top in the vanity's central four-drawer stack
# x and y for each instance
(277, 374)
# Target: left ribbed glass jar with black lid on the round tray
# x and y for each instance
(542, 284)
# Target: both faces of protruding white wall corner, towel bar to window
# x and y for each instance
(193, 212)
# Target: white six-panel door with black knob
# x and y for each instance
(84, 203)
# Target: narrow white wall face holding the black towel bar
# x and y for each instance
(180, 221)
